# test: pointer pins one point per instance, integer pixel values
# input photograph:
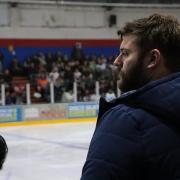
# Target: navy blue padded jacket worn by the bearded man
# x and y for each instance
(137, 136)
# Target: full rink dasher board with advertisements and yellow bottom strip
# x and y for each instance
(48, 113)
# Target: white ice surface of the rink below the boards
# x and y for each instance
(46, 152)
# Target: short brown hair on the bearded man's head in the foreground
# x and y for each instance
(157, 31)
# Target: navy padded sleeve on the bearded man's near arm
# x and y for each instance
(115, 148)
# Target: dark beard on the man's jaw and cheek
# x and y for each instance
(135, 78)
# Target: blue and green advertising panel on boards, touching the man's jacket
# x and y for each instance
(82, 110)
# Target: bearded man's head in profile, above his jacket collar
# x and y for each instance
(150, 49)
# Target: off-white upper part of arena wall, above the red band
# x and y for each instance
(51, 21)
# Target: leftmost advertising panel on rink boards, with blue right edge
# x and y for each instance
(10, 114)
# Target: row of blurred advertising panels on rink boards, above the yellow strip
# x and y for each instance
(48, 112)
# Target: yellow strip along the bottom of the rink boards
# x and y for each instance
(50, 121)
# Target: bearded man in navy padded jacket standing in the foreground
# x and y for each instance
(137, 136)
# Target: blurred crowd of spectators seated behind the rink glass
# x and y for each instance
(42, 69)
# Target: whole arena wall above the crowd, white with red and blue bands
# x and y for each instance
(34, 28)
